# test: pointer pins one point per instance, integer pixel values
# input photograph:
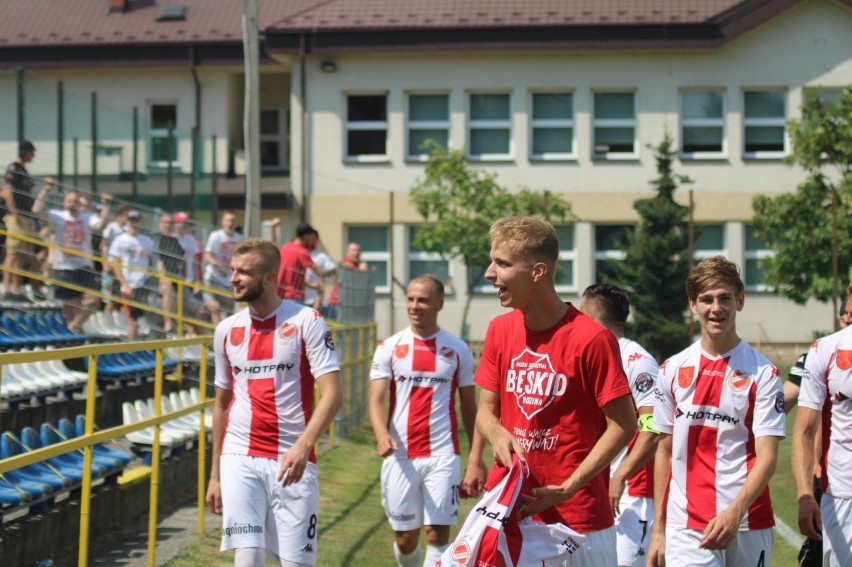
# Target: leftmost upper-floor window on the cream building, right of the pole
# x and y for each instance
(366, 127)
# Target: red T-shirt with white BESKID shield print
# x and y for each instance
(552, 385)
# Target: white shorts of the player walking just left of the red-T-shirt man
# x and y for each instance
(421, 491)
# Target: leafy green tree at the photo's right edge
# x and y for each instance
(810, 230)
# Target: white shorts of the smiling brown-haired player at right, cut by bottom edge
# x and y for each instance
(749, 549)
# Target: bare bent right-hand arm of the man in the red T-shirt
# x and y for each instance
(620, 428)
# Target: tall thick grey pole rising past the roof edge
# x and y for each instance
(251, 118)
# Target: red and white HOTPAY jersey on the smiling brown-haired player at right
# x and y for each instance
(714, 407)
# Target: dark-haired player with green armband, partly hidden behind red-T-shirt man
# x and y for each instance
(633, 469)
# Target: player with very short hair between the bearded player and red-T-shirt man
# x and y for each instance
(422, 367)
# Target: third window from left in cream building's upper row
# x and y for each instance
(490, 127)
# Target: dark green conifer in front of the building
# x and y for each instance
(657, 262)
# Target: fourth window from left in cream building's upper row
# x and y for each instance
(552, 126)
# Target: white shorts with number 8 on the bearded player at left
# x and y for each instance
(259, 512)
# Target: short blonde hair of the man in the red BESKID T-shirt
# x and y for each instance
(535, 239)
